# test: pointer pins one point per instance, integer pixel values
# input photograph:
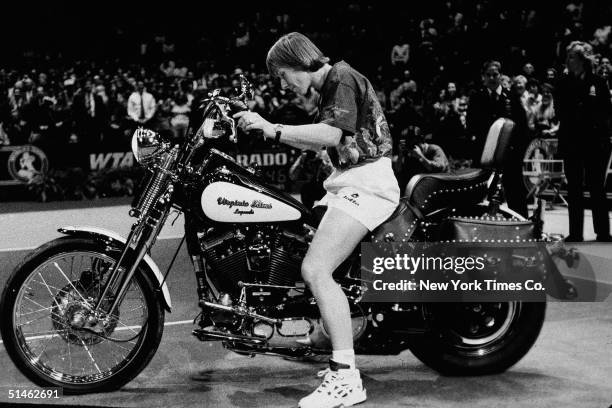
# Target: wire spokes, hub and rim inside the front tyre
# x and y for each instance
(47, 328)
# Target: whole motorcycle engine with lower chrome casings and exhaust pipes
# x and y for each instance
(272, 257)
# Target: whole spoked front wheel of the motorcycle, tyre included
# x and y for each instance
(46, 324)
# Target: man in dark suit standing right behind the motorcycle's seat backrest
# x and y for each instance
(486, 105)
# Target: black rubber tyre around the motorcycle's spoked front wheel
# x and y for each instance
(145, 345)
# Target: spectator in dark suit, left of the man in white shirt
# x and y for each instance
(90, 115)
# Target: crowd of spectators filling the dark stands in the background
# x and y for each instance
(423, 63)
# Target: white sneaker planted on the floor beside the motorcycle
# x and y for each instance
(342, 388)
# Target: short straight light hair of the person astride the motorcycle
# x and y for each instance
(296, 51)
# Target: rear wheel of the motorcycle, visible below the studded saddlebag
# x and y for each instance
(478, 338)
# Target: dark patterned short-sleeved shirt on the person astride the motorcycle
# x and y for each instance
(349, 103)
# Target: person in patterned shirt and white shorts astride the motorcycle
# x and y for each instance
(362, 191)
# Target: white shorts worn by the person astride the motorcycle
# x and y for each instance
(368, 193)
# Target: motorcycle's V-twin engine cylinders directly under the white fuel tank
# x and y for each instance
(254, 254)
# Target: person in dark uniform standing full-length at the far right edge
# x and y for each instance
(584, 108)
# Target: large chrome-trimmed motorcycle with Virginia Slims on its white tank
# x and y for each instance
(86, 311)
